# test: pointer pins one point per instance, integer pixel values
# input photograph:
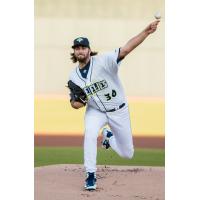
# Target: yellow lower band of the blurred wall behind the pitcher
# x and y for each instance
(55, 116)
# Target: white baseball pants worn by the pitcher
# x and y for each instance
(120, 142)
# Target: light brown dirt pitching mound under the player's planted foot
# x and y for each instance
(62, 182)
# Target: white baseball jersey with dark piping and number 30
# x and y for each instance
(102, 85)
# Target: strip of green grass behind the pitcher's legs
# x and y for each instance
(74, 155)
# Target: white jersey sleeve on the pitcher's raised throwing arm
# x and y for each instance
(112, 61)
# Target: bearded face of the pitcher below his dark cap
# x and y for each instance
(82, 53)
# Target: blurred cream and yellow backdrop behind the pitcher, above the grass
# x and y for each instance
(108, 25)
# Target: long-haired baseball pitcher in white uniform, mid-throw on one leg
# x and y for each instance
(94, 83)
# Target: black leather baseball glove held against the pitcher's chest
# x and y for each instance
(77, 94)
